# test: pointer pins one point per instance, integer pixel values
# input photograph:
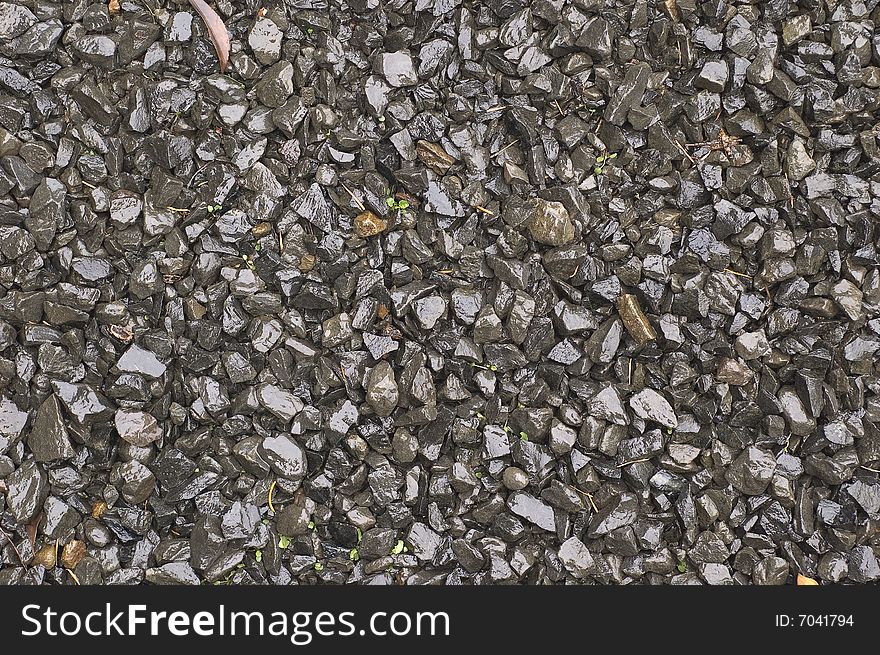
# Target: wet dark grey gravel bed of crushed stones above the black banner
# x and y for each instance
(559, 291)
